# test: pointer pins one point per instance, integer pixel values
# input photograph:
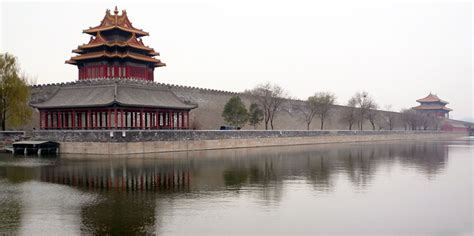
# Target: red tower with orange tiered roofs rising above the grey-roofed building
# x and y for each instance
(115, 50)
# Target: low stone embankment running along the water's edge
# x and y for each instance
(137, 142)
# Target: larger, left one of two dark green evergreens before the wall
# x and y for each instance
(235, 113)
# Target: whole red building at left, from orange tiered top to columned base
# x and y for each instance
(115, 88)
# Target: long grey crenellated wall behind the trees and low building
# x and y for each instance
(211, 104)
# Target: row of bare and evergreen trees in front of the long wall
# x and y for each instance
(268, 99)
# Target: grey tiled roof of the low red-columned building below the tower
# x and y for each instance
(119, 92)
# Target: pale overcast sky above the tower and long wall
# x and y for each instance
(398, 51)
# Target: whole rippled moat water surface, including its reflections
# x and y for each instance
(382, 188)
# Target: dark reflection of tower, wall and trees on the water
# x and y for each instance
(132, 195)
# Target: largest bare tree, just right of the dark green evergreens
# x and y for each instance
(270, 97)
